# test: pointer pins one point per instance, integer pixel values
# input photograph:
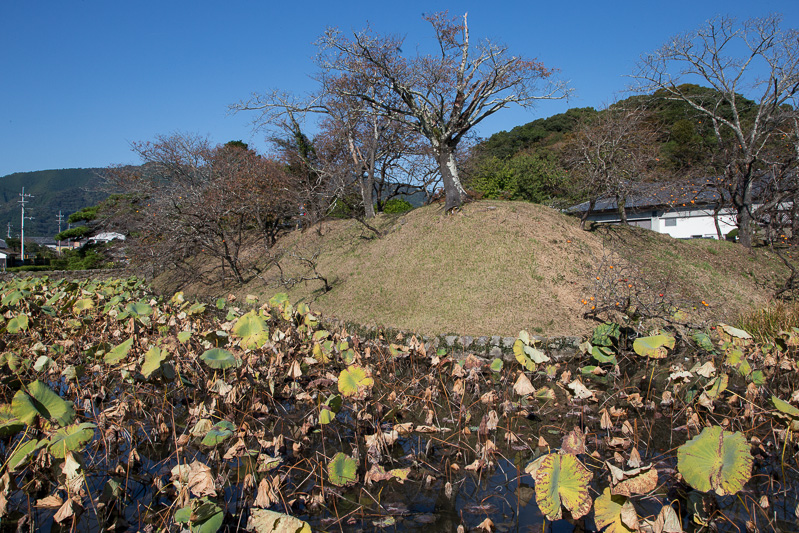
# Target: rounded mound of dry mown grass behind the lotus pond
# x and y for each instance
(498, 267)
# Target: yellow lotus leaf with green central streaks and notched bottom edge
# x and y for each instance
(562, 481)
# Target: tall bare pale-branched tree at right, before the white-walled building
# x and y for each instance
(756, 59)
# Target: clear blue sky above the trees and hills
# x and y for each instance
(81, 80)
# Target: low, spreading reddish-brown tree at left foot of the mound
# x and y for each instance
(203, 200)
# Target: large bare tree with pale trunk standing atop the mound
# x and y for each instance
(442, 96)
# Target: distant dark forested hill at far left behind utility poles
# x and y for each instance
(67, 190)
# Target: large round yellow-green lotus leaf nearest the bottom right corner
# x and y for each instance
(716, 460)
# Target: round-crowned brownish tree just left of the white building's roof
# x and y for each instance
(608, 154)
